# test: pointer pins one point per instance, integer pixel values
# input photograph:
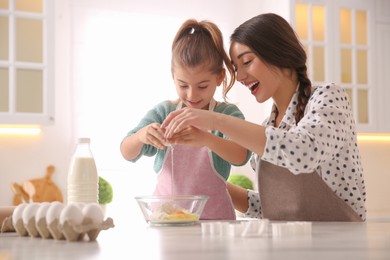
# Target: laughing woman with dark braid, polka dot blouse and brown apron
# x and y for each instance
(306, 154)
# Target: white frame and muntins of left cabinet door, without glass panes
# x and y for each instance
(46, 66)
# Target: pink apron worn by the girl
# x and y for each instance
(194, 174)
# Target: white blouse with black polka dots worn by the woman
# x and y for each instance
(324, 141)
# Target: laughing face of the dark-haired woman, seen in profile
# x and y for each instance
(263, 80)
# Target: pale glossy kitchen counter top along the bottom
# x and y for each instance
(137, 240)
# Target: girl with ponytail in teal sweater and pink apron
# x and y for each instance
(198, 160)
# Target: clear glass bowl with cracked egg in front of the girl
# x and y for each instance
(172, 210)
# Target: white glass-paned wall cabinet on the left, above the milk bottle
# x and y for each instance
(26, 62)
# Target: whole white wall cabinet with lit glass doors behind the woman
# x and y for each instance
(347, 43)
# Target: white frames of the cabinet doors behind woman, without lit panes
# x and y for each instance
(333, 58)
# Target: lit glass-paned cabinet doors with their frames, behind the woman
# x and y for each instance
(338, 45)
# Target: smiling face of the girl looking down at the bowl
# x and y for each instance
(196, 86)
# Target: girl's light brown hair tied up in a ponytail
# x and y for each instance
(198, 43)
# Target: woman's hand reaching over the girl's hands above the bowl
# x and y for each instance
(178, 120)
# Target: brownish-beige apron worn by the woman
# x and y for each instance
(302, 197)
